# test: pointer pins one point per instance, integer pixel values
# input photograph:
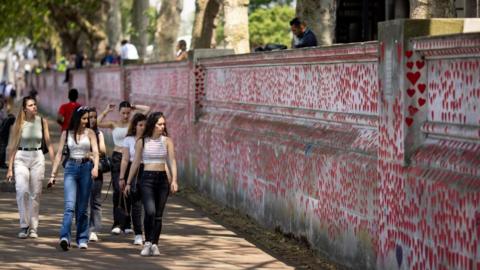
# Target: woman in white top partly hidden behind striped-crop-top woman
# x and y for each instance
(134, 203)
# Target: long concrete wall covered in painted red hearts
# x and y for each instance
(370, 151)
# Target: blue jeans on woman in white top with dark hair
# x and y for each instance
(77, 188)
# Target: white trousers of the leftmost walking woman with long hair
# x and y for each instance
(29, 170)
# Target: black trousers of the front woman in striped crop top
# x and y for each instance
(155, 189)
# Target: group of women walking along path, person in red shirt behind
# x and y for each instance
(143, 170)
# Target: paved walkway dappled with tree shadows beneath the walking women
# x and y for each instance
(189, 240)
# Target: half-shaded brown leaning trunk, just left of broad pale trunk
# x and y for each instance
(204, 24)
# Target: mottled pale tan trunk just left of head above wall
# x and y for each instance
(168, 25)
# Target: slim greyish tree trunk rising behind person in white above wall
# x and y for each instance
(139, 25)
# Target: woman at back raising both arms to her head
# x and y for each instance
(119, 131)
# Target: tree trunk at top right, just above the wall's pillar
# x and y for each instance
(426, 9)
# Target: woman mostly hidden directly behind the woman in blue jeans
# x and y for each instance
(96, 194)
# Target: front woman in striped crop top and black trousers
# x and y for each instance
(156, 150)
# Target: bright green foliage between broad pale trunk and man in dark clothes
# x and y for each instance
(270, 25)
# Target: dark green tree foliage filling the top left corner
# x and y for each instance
(73, 21)
